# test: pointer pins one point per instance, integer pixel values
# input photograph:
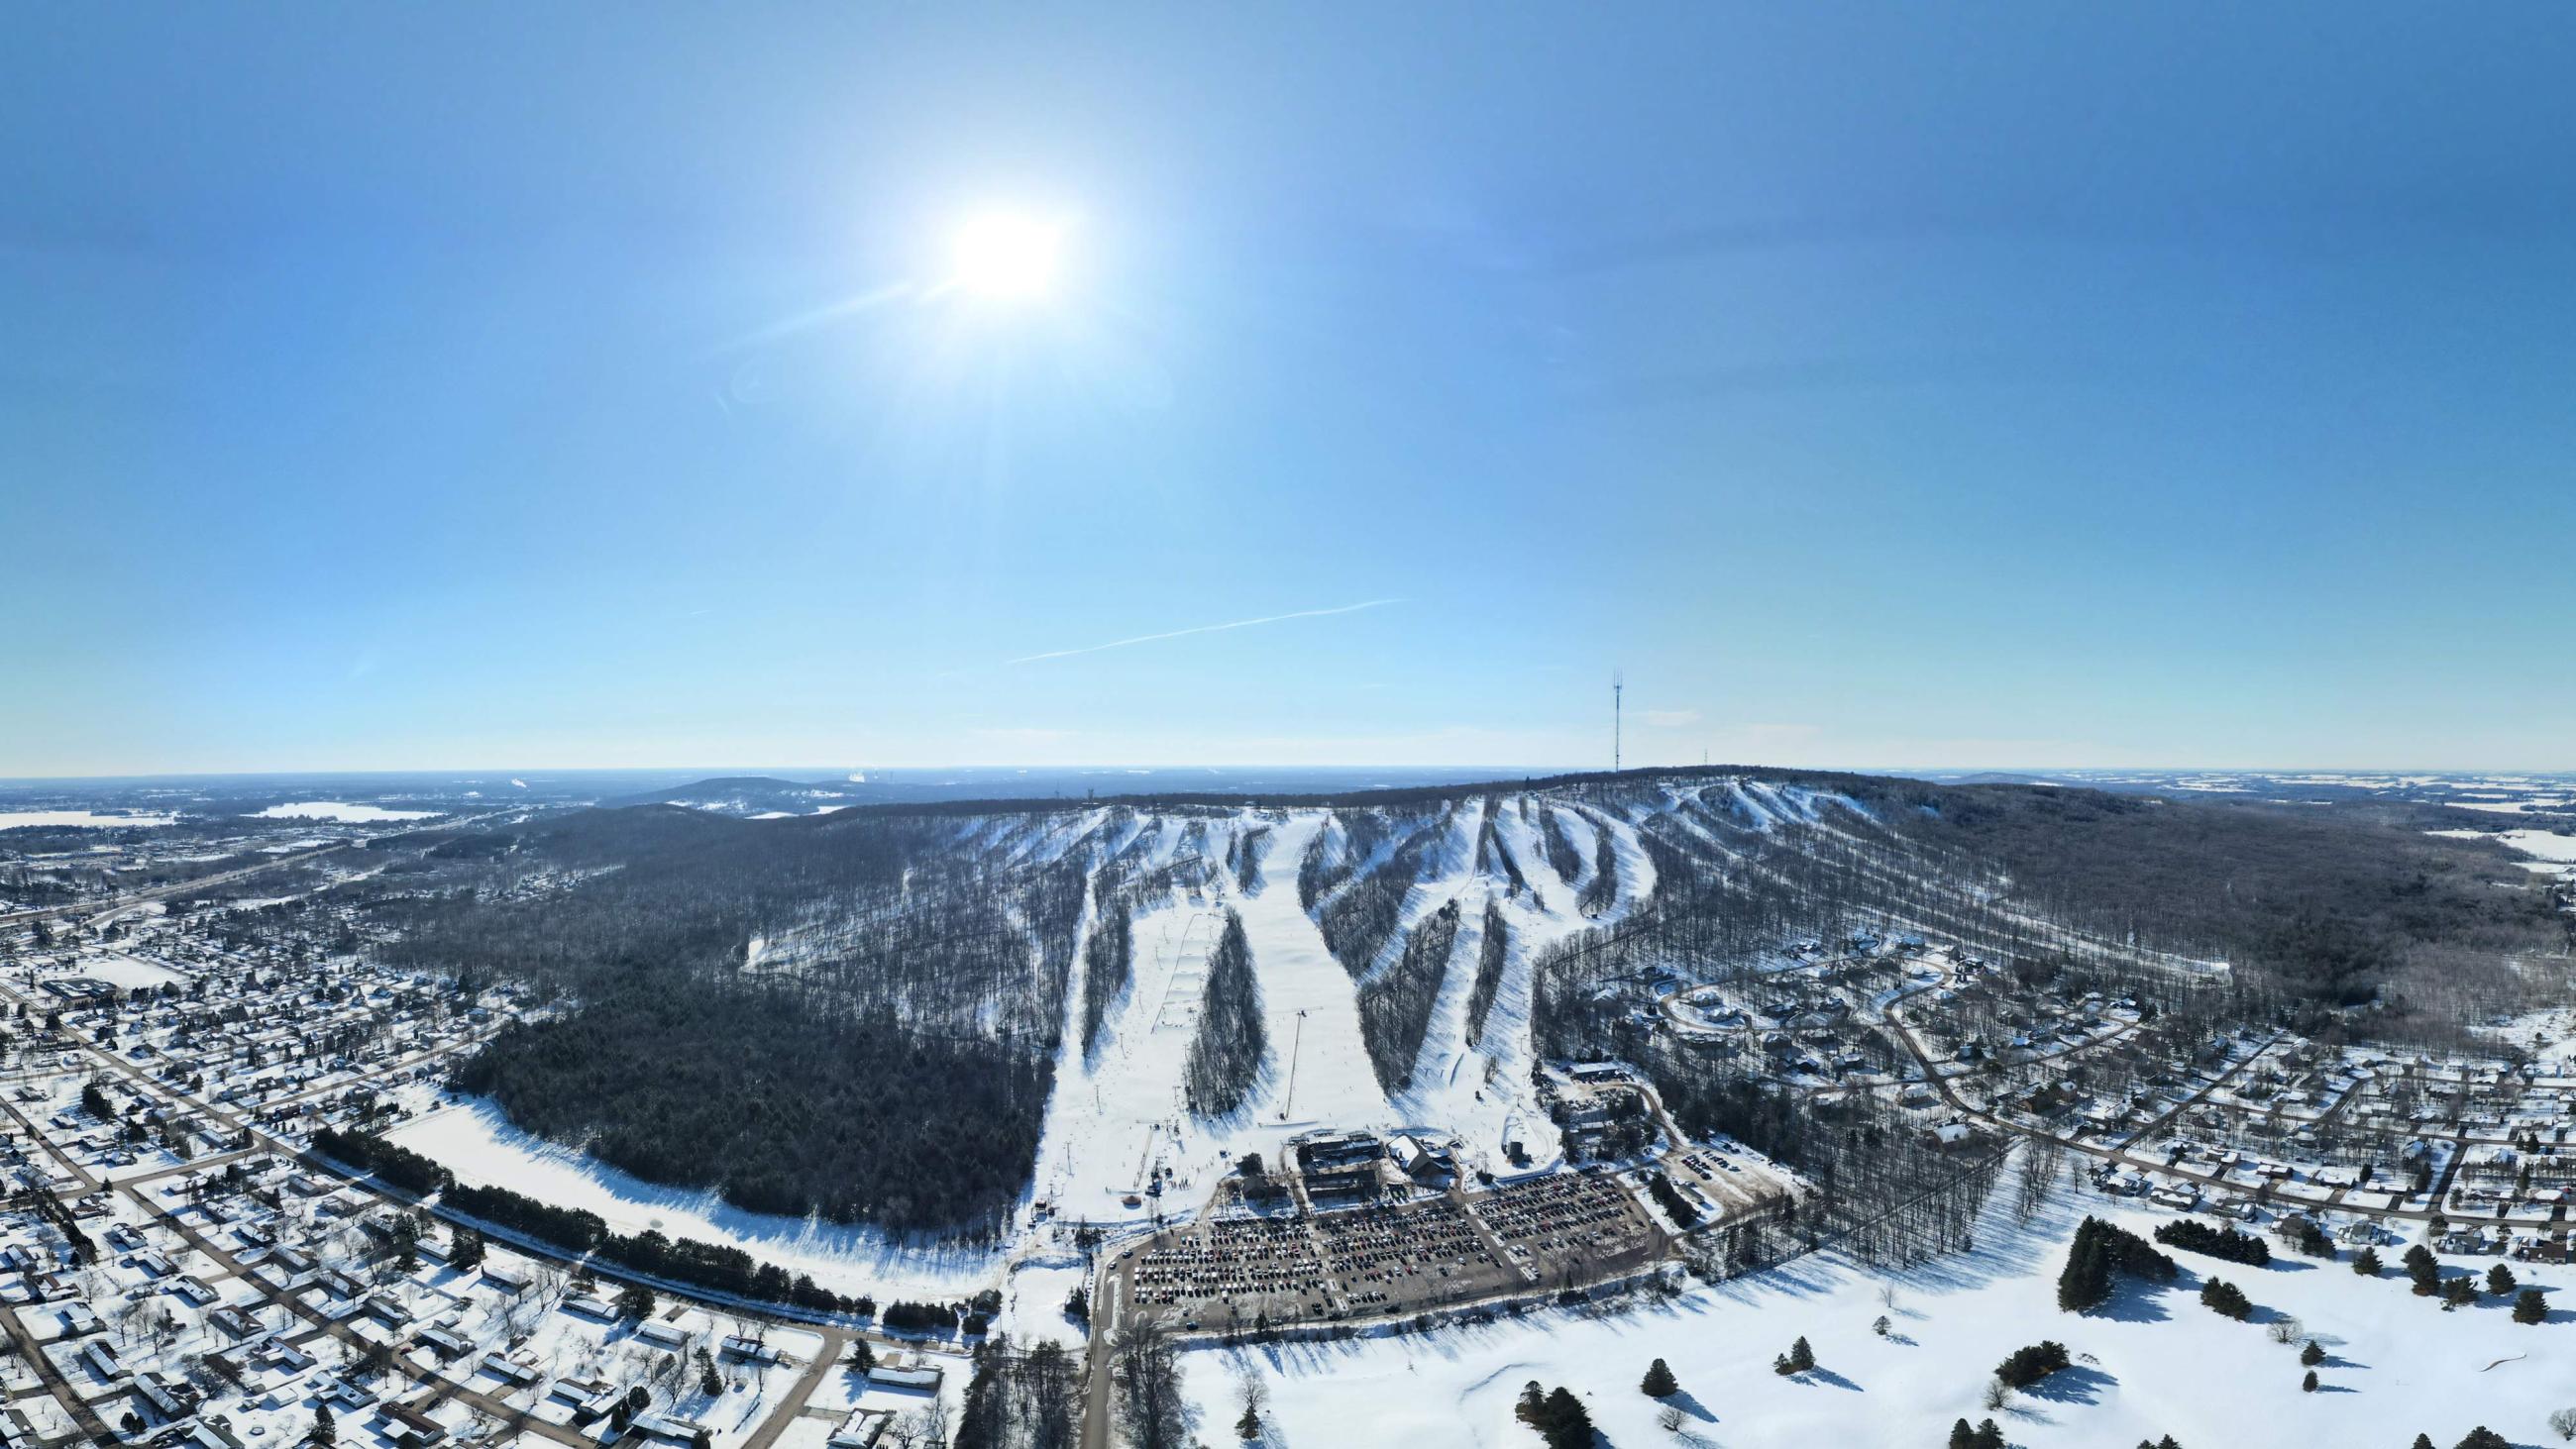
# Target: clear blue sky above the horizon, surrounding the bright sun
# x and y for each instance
(1905, 385)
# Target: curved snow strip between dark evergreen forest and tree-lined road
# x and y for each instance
(480, 1147)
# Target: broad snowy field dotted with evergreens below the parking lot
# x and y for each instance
(2155, 1363)
